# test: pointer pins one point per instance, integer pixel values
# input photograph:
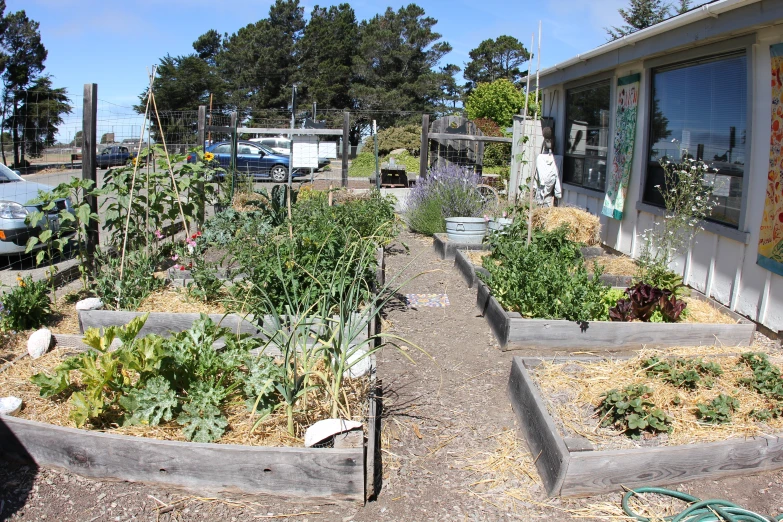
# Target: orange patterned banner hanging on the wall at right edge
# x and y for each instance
(771, 236)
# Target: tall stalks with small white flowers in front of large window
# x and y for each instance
(688, 195)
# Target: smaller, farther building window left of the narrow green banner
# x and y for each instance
(587, 135)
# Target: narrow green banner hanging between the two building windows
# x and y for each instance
(624, 137)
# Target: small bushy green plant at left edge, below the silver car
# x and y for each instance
(26, 306)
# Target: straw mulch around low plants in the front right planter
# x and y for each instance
(572, 391)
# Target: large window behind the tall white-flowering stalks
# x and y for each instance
(699, 112)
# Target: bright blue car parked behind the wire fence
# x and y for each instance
(253, 159)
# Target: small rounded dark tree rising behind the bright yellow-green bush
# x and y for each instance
(495, 59)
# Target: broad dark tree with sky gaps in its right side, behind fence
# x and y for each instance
(393, 64)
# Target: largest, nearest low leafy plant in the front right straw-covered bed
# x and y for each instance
(631, 411)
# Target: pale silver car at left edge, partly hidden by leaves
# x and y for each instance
(15, 195)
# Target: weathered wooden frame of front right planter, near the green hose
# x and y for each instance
(571, 468)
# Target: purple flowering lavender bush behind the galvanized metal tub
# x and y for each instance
(448, 191)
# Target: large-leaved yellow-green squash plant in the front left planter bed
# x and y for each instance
(150, 380)
